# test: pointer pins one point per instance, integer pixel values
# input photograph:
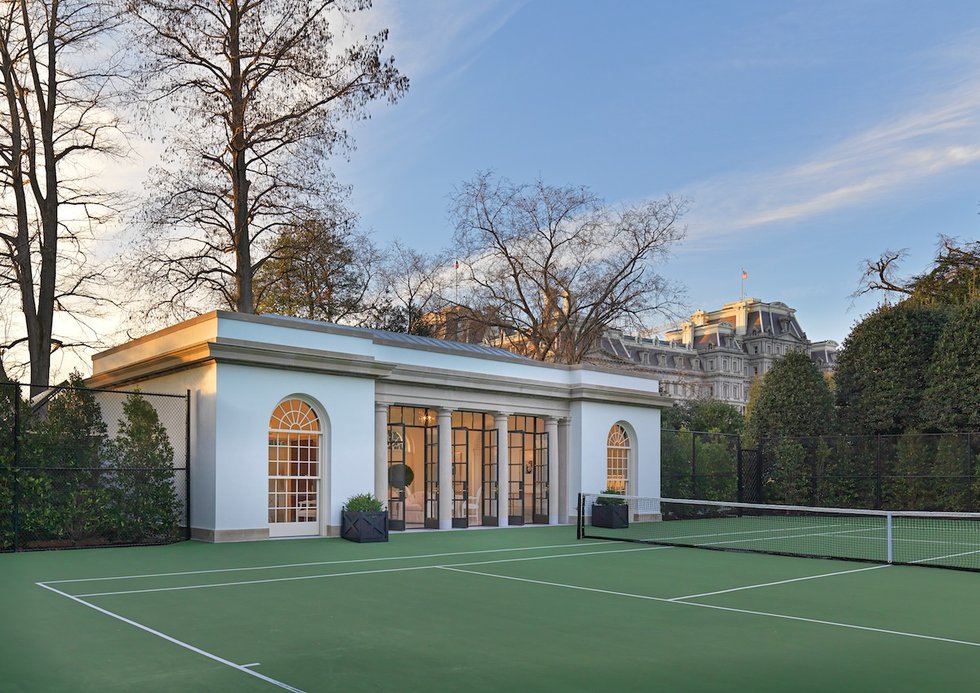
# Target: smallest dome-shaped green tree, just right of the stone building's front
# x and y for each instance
(793, 400)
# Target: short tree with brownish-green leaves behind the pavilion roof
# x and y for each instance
(319, 269)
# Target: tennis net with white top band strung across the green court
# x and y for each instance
(946, 540)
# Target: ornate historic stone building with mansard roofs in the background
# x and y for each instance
(716, 354)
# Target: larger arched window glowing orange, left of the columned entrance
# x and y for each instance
(294, 468)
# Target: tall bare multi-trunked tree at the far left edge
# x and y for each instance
(56, 89)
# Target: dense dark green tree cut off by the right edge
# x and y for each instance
(952, 397)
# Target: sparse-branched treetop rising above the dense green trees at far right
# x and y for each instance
(954, 277)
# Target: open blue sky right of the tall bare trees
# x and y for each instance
(807, 136)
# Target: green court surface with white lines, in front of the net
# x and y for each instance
(478, 610)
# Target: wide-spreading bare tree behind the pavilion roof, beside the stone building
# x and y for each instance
(550, 268)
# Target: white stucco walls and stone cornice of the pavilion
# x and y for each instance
(248, 365)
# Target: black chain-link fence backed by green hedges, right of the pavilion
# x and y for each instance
(913, 471)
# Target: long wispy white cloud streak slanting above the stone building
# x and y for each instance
(941, 134)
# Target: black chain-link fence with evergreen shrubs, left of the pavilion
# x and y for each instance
(82, 467)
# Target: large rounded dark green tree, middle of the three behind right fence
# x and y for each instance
(882, 369)
